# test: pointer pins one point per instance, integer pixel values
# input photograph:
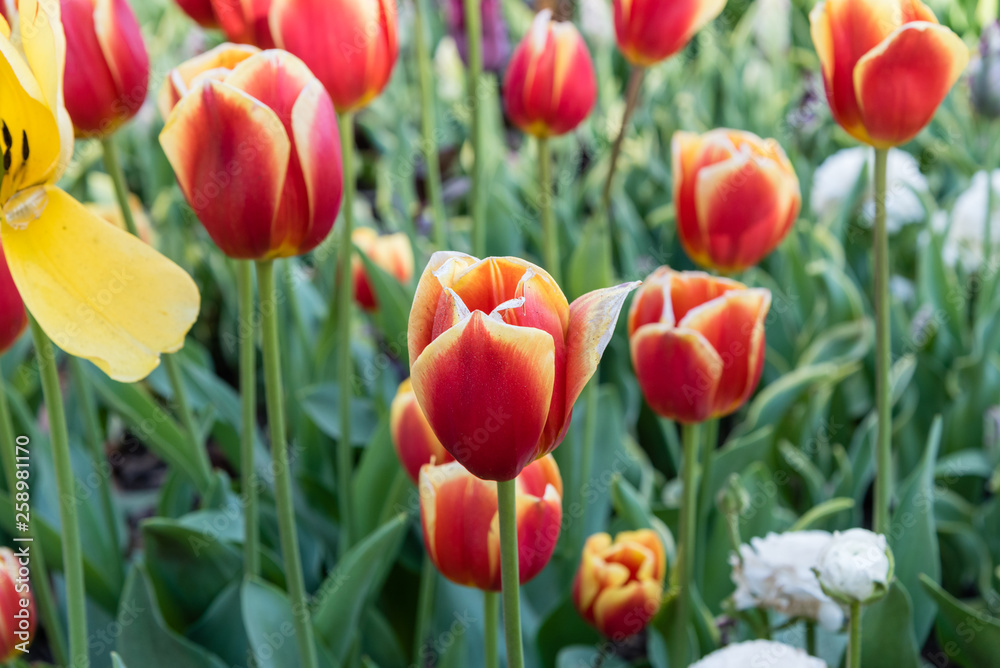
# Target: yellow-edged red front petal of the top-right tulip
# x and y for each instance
(901, 82)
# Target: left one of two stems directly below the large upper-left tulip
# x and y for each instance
(248, 399)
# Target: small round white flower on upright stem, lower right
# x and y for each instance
(856, 566)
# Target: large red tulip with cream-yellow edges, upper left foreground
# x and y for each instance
(256, 152)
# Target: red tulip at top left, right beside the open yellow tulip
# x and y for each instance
(107, 67)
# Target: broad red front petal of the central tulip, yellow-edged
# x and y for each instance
(485, 388)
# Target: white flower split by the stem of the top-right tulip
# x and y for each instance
(836, 177)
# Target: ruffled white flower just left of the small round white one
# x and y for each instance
(777, 573)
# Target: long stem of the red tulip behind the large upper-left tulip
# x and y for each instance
(346, 300)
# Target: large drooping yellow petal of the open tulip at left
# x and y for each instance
(98, 292)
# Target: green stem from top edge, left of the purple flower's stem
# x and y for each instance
(427, 124)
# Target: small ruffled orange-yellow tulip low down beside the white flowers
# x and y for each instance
(619, 585)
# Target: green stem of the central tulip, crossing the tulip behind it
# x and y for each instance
(509, 576)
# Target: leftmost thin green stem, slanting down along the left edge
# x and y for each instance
(40, 583)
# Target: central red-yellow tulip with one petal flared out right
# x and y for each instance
(498, 357)
